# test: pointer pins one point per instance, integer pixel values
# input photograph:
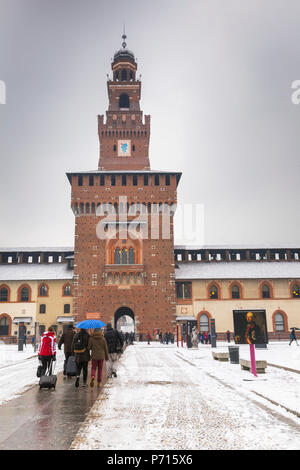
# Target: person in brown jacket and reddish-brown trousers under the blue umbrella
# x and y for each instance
(98, 347)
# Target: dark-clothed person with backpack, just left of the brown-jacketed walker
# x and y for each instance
(82, 355)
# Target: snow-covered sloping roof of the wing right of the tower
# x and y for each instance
(239, 270)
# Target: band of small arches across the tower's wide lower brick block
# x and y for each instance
(133, 209)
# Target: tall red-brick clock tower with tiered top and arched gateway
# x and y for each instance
(124, 245)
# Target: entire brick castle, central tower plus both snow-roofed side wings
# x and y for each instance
(124, 262)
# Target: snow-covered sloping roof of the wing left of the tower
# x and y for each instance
(33, 272)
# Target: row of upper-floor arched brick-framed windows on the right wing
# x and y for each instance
(236, 290)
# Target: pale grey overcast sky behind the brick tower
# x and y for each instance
(216, 79)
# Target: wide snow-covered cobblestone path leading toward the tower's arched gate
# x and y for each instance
(161, 401)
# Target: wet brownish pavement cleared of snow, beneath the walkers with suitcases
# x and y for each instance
(44, 419)
